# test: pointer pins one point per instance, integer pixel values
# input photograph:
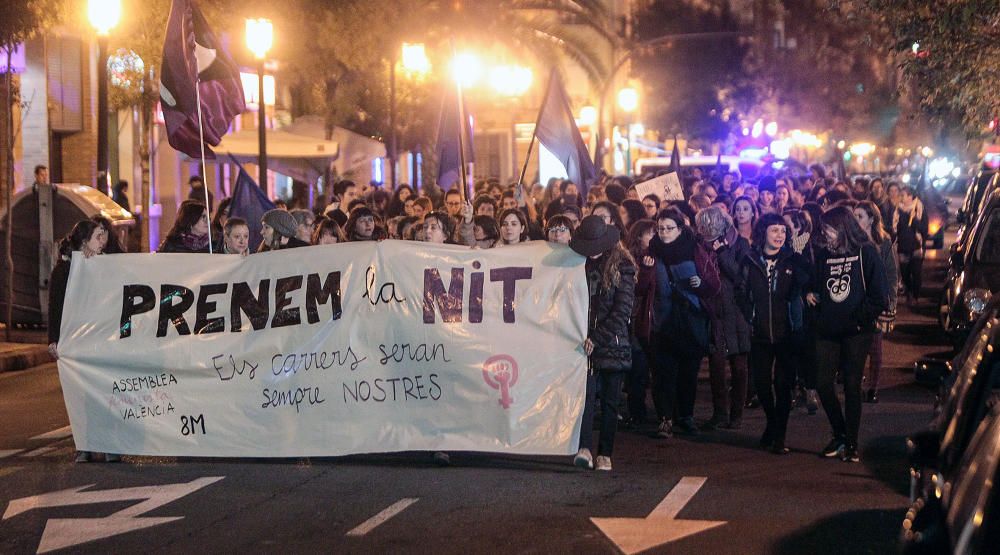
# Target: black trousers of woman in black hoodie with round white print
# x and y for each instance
(847, 353)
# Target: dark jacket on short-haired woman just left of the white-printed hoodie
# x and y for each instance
(767, 302)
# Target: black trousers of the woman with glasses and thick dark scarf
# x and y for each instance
(675, 383)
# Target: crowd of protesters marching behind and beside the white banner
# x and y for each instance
(784, 284)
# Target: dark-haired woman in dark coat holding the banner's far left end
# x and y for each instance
(87, 237)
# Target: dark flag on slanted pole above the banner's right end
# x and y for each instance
(556, 129)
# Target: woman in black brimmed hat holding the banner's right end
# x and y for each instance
(611, 283)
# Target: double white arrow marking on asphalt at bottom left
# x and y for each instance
(66, 532)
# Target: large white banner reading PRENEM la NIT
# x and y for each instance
(323, 351)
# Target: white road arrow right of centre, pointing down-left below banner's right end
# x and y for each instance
(633, 535)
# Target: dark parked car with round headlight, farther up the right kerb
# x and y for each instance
(973, 273)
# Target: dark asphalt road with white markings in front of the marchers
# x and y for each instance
(750, 501)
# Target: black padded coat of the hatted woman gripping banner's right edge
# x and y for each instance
(610, 315)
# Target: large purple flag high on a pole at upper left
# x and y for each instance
(193, 57)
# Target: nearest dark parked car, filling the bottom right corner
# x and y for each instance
(948, 459)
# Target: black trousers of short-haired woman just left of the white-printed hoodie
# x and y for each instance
(774, 376)
